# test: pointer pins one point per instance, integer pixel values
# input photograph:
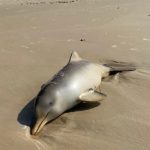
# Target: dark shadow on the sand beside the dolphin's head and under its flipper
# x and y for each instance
(27, 117)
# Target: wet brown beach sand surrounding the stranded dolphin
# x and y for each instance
(36, 39)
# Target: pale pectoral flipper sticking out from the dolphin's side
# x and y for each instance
(92, 95)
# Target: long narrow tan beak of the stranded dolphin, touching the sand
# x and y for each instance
(39, 125)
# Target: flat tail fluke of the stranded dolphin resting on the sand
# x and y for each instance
(117, 67)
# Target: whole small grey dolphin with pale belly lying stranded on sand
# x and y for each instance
(77, 81)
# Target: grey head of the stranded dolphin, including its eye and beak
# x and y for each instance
(46, 108)
